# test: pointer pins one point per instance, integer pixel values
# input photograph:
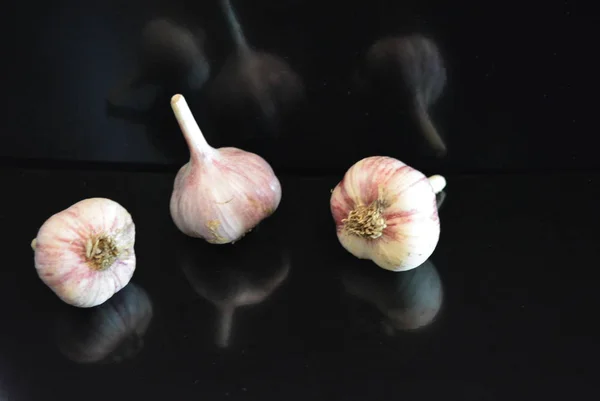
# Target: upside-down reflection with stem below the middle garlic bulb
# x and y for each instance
(242, 275)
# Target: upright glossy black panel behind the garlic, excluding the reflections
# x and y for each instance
(520, 93)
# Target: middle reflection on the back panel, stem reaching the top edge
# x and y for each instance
(254, 82)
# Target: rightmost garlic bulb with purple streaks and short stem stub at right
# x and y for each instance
(386, 211)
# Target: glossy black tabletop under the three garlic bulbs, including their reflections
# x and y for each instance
(505, 308)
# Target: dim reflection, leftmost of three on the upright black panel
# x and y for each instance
(170, 55)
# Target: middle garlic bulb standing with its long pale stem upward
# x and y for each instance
(221, 194)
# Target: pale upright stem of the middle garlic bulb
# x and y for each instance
(199, 148)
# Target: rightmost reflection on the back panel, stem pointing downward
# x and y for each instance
(413, 69)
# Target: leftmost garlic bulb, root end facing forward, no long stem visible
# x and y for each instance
(85, 253)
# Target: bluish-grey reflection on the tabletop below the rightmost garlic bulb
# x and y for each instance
(410, 300)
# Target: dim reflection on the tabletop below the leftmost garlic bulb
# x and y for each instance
(109, 333)
